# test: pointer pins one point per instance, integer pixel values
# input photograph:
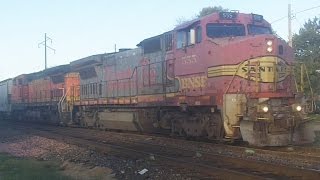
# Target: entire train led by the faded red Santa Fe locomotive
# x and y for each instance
(222, 76)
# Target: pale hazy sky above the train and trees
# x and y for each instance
(80, 28)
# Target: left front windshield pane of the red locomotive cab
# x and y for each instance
(225, 30)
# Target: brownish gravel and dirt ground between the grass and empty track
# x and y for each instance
(20, 144)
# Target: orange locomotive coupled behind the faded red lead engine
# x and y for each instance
(36, 96)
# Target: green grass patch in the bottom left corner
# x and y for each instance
(13, 168)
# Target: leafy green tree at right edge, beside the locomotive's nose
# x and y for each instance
(306, 45)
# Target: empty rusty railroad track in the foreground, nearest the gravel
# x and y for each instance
(209, 164)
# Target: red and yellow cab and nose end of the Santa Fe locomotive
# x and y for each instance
(244, 71)
